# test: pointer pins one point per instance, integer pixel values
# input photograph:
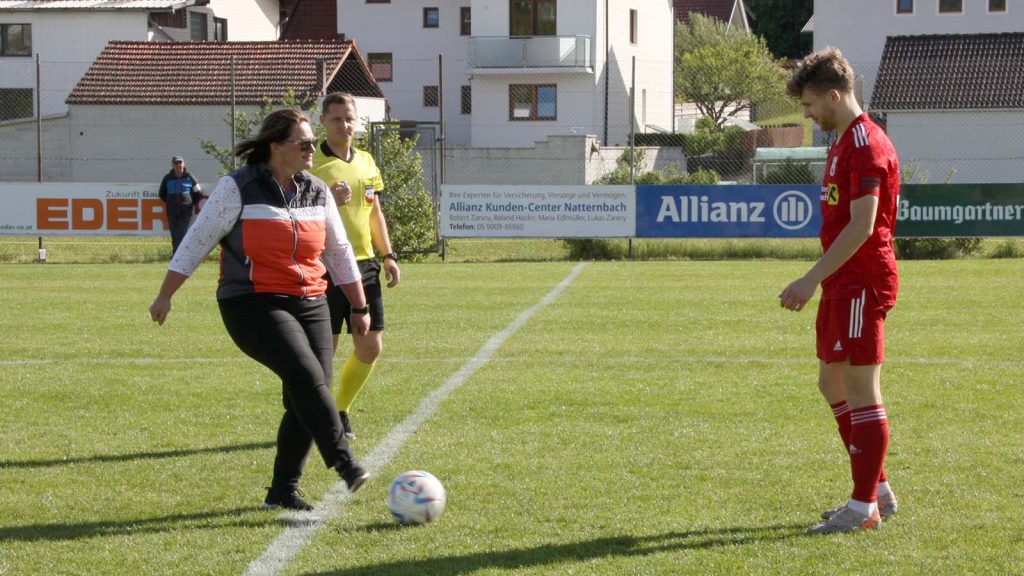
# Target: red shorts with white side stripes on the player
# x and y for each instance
(852, 328)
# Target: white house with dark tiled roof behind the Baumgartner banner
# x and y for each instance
(955, 106)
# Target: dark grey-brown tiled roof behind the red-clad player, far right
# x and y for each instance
(952, 72)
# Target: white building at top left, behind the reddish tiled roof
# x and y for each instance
(68, 36)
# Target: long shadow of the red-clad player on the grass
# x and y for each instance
(613, 547)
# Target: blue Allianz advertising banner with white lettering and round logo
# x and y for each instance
(729, 212)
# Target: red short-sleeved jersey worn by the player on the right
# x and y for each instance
(863, 162)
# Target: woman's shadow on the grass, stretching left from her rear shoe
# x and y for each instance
(61, 531)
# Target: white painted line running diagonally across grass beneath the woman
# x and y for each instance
(303, 527)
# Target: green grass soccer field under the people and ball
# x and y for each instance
(606, 419)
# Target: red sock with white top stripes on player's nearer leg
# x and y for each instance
(869, 444)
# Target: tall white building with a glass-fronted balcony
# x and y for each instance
(516, 73)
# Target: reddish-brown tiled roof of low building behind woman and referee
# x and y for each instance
(199, 73)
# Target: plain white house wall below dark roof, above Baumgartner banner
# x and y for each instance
(978, 146)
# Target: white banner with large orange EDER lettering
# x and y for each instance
(81, 210)
